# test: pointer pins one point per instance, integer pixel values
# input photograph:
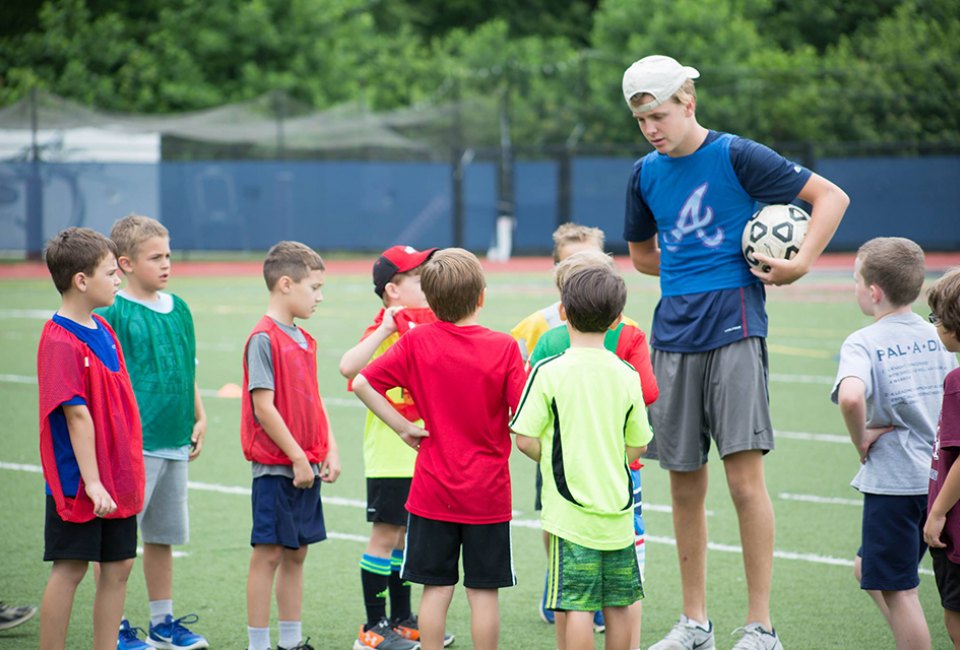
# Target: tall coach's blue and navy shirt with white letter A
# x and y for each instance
(709, 298)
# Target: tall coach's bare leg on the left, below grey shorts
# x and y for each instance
(688, 492)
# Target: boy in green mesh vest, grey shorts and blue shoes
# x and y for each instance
(156, 330)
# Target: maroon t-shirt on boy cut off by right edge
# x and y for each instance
(946, 450)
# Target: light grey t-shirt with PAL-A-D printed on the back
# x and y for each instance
(902, 363)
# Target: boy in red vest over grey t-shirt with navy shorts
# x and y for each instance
(285, 433)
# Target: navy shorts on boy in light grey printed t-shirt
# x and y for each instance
(892, 544)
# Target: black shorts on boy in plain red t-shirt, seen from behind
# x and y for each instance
(432, 553)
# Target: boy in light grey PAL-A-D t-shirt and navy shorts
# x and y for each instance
(889, 388)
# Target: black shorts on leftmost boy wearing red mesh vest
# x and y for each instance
(97, 540)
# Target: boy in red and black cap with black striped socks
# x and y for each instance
(387, 461)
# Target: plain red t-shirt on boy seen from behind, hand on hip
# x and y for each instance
(465, 382)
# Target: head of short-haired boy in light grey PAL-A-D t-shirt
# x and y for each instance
(894, 264)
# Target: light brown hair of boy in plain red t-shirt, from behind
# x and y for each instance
(452, 280)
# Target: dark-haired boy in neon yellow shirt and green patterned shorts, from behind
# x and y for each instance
(580, 418)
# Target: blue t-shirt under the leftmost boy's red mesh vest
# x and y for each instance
(100, 342)
